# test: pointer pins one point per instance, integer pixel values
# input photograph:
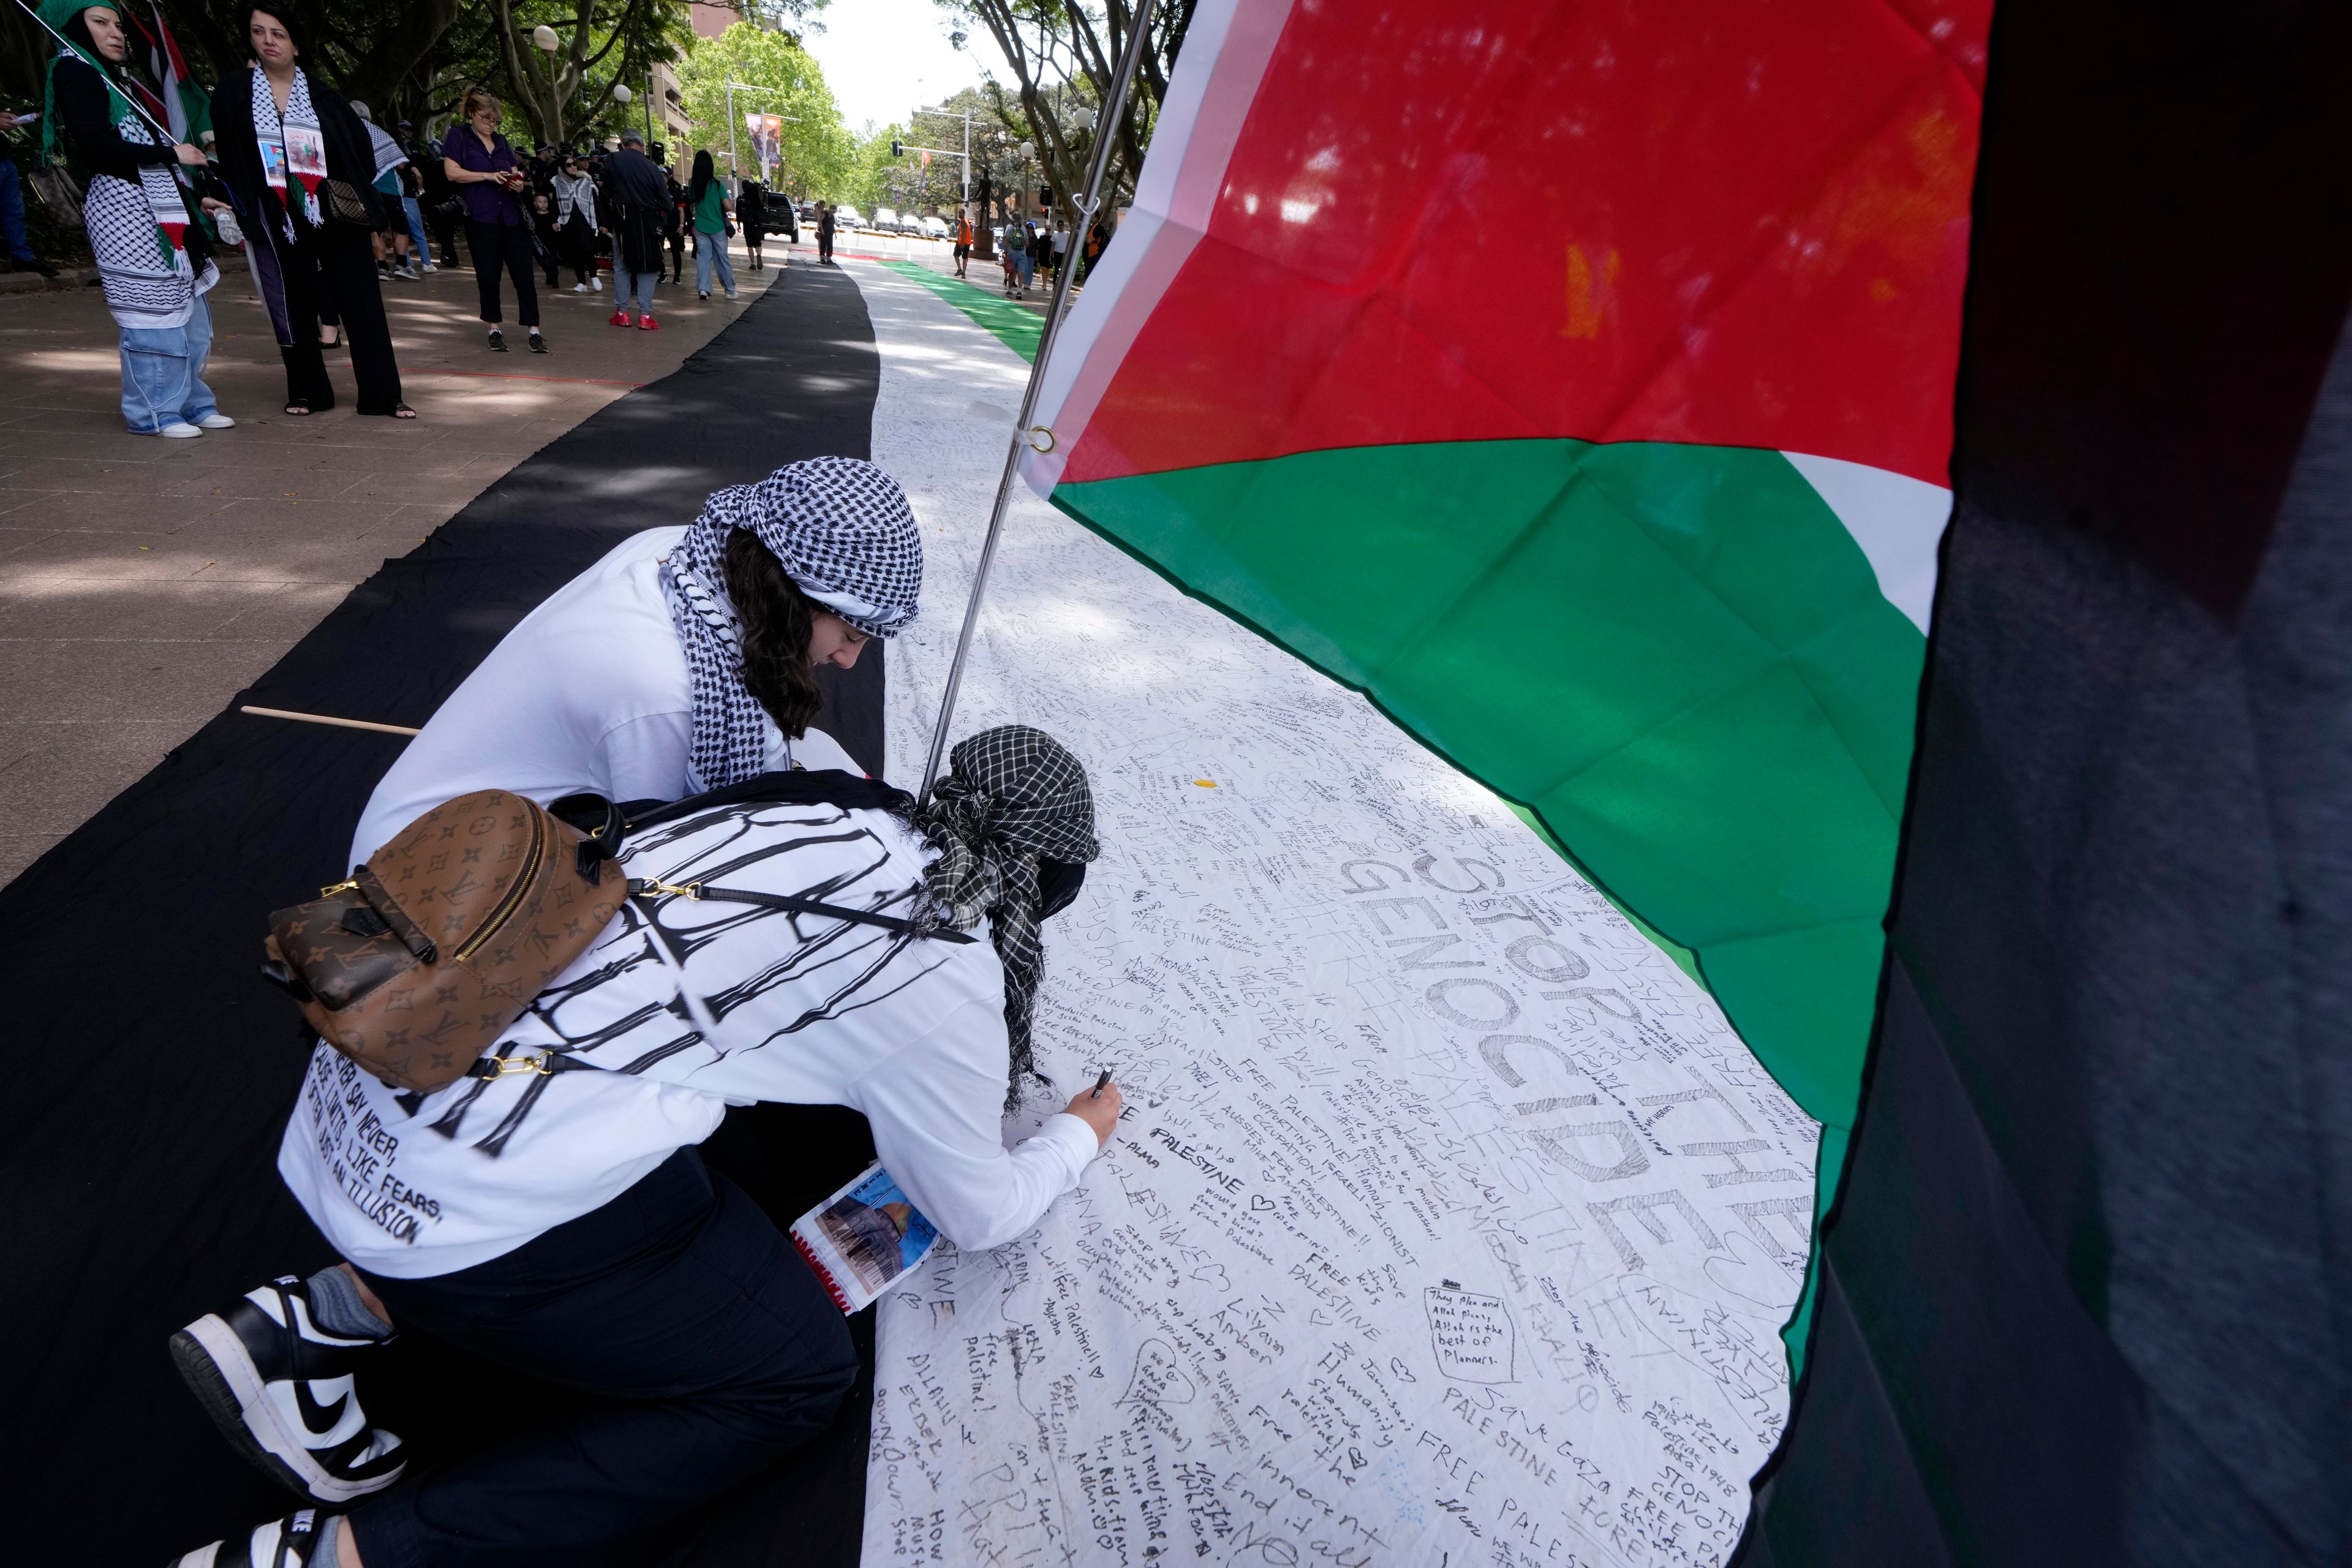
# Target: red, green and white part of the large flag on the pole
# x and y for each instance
(1577, 382)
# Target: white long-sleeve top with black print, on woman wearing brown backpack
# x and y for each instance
(780, 1007)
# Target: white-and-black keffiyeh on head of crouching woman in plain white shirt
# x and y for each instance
(843, 532)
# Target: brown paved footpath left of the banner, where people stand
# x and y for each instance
(147, 582)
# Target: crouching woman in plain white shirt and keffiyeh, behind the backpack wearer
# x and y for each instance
(686, 659)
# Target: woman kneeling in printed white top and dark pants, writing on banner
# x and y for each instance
(554, 1212)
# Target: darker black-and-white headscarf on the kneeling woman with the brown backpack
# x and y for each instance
(1013, 800)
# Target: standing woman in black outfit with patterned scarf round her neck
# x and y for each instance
(305, 175)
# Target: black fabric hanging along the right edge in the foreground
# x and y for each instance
(2085, 1289)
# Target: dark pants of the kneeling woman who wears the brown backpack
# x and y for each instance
(702, 1341)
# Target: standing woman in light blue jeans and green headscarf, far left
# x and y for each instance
(154, 264)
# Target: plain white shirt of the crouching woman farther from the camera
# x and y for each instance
(589, 695)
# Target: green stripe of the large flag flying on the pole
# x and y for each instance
(1676, 657)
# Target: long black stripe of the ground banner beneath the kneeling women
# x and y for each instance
(152, 1071)
